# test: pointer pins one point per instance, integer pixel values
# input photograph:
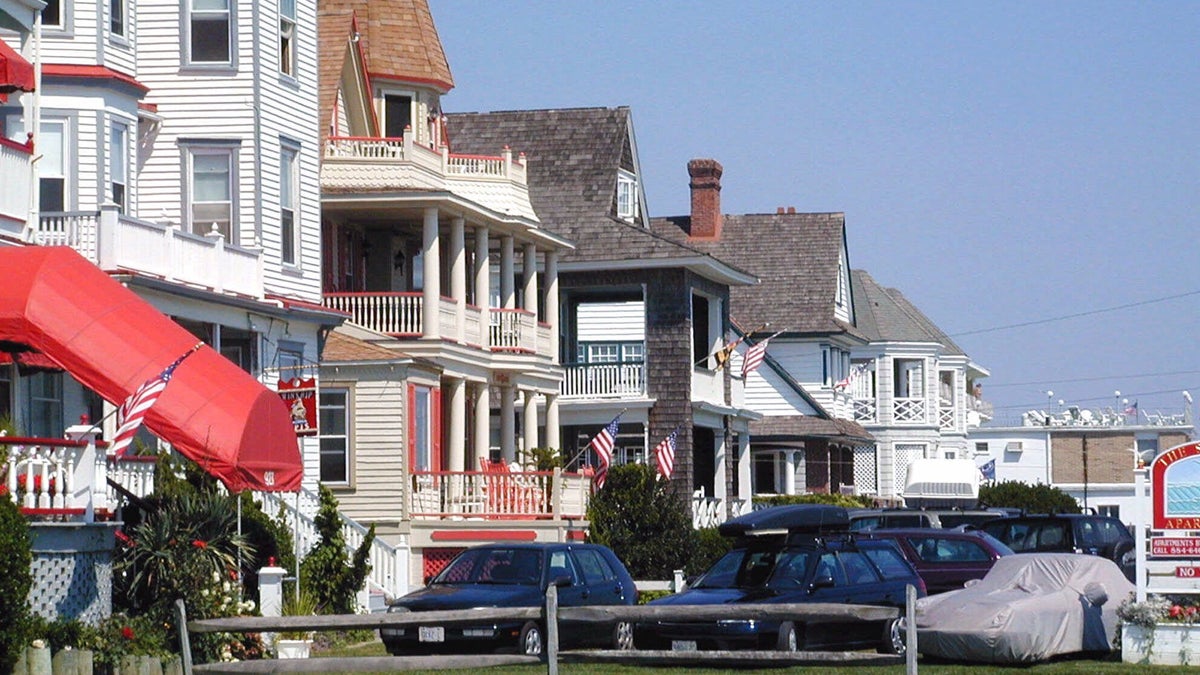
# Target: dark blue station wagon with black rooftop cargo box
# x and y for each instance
(784, 557)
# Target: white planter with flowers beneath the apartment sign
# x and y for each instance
(1161, 631)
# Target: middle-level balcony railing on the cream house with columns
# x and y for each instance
(400, 315)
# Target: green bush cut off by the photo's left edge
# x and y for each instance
(16, 561)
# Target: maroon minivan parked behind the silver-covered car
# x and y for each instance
(945, 559)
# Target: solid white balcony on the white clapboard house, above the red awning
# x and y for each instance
(121, 243)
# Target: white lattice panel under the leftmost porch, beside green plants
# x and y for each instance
(73, 586)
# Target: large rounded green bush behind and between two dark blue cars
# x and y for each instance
(644, 523)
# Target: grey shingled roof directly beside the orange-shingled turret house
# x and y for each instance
(573, 159)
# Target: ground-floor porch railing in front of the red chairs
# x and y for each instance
(523, 495)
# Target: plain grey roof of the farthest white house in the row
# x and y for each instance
(885, 315)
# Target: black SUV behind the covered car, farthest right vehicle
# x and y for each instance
(1069, 533)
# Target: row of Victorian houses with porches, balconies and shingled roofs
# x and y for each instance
(451, 294)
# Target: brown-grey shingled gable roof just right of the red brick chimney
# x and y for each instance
(795, 258)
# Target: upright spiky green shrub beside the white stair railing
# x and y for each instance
(326, 574)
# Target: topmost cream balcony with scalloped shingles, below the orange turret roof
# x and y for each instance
(361, 164)
